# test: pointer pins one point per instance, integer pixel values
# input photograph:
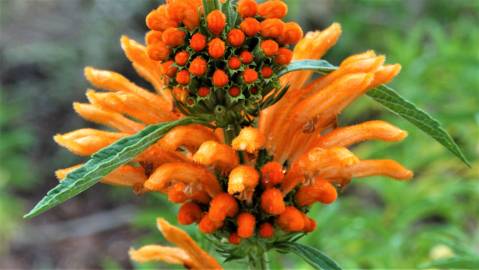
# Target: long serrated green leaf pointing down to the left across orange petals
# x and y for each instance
(105, 161)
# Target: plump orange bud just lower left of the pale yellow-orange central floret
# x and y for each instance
(221, 206)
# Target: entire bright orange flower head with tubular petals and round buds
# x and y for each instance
(252, 181)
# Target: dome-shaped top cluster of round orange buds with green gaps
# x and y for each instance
(222, 58)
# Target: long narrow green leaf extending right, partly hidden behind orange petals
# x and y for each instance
(390, 99)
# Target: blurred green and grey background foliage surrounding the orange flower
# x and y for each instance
(377, 223)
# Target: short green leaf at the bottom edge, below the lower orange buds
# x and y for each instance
(314, 257)
